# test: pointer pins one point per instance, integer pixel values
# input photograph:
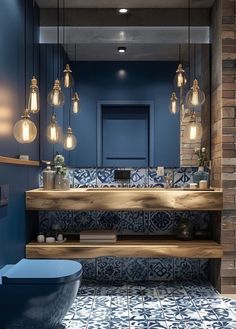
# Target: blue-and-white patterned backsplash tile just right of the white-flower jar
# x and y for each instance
(85, 177)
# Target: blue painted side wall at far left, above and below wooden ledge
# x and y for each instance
(12, 104)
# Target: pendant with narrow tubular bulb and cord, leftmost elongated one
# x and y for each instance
(33, 102)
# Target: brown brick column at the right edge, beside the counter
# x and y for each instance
(224, 130)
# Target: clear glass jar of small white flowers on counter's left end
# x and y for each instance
(61, 182)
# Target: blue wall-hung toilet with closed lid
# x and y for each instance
(36, 294)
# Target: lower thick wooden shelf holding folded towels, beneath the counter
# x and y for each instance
(127, 248)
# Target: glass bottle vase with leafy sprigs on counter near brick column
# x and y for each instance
(201, 174)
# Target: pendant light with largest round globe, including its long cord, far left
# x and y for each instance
(25, 130)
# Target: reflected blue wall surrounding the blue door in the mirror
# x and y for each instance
(150, 81)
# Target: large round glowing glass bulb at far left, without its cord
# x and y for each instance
(25, 130)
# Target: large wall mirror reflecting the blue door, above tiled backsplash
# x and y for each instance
(124, 119)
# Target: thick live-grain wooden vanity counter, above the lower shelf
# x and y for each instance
(111, 199)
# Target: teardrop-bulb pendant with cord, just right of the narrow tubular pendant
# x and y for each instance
(56, 97)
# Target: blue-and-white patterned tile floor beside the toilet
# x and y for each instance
(172, 305)
